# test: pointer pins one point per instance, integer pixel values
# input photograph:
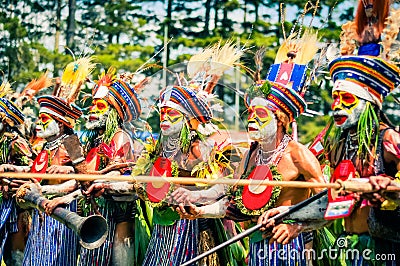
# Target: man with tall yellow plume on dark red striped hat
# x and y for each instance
(51, 242)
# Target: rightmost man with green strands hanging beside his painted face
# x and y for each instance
(366, 143)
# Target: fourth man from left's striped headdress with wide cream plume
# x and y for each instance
(195, 98)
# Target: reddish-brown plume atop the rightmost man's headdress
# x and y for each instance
(370, 20)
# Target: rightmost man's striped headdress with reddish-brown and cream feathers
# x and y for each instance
(370, 74)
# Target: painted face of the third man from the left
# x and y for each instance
(98, 114)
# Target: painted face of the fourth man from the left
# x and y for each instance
(171, 121)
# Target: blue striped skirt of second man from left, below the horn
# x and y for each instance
(50, 242)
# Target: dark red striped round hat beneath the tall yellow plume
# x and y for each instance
(59, 109)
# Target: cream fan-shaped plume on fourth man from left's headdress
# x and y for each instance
(222, 59)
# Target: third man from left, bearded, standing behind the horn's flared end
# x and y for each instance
(115, 102)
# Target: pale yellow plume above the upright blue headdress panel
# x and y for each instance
(298, 50)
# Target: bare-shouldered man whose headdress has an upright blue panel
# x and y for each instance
(274, 155)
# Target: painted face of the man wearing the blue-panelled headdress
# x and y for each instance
(262, 123)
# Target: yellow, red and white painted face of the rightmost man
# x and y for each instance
(347, 109)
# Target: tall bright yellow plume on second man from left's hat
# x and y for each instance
(73, 77)
